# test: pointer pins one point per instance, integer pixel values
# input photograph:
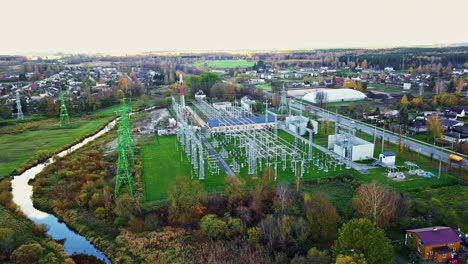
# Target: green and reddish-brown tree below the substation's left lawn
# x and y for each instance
(185, 200)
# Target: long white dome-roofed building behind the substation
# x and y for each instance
(334, 95)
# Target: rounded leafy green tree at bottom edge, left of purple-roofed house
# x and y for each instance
(362, 237)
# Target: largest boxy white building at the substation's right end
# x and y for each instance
(351, 147)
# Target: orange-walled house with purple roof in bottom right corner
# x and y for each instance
(438, 243)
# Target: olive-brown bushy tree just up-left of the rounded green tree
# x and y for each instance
(322, 216)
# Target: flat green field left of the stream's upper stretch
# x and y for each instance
(17, 148)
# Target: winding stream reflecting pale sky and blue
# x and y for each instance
(22, 196)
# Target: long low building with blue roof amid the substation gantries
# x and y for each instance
(241, 124)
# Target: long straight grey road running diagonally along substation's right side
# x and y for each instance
(424, 149)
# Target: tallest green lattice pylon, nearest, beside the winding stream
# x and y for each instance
(125, 149)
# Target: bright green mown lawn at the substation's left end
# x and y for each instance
(163, 163)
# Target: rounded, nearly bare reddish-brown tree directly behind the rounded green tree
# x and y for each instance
(376, 203)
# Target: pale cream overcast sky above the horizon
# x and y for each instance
(120, 27)
